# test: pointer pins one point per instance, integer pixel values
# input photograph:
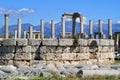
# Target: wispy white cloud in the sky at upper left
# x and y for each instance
(19, 12)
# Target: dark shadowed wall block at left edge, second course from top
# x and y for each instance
(7, 49)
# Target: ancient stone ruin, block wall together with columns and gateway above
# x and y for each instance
(34, 48)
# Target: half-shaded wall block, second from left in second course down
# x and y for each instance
(22, 49)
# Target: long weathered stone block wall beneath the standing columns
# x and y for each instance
(56, 51)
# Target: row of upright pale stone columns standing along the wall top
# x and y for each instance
(18, 31)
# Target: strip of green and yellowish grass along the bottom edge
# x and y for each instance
(72, 78)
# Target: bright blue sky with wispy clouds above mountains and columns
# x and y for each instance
(31, 11)
